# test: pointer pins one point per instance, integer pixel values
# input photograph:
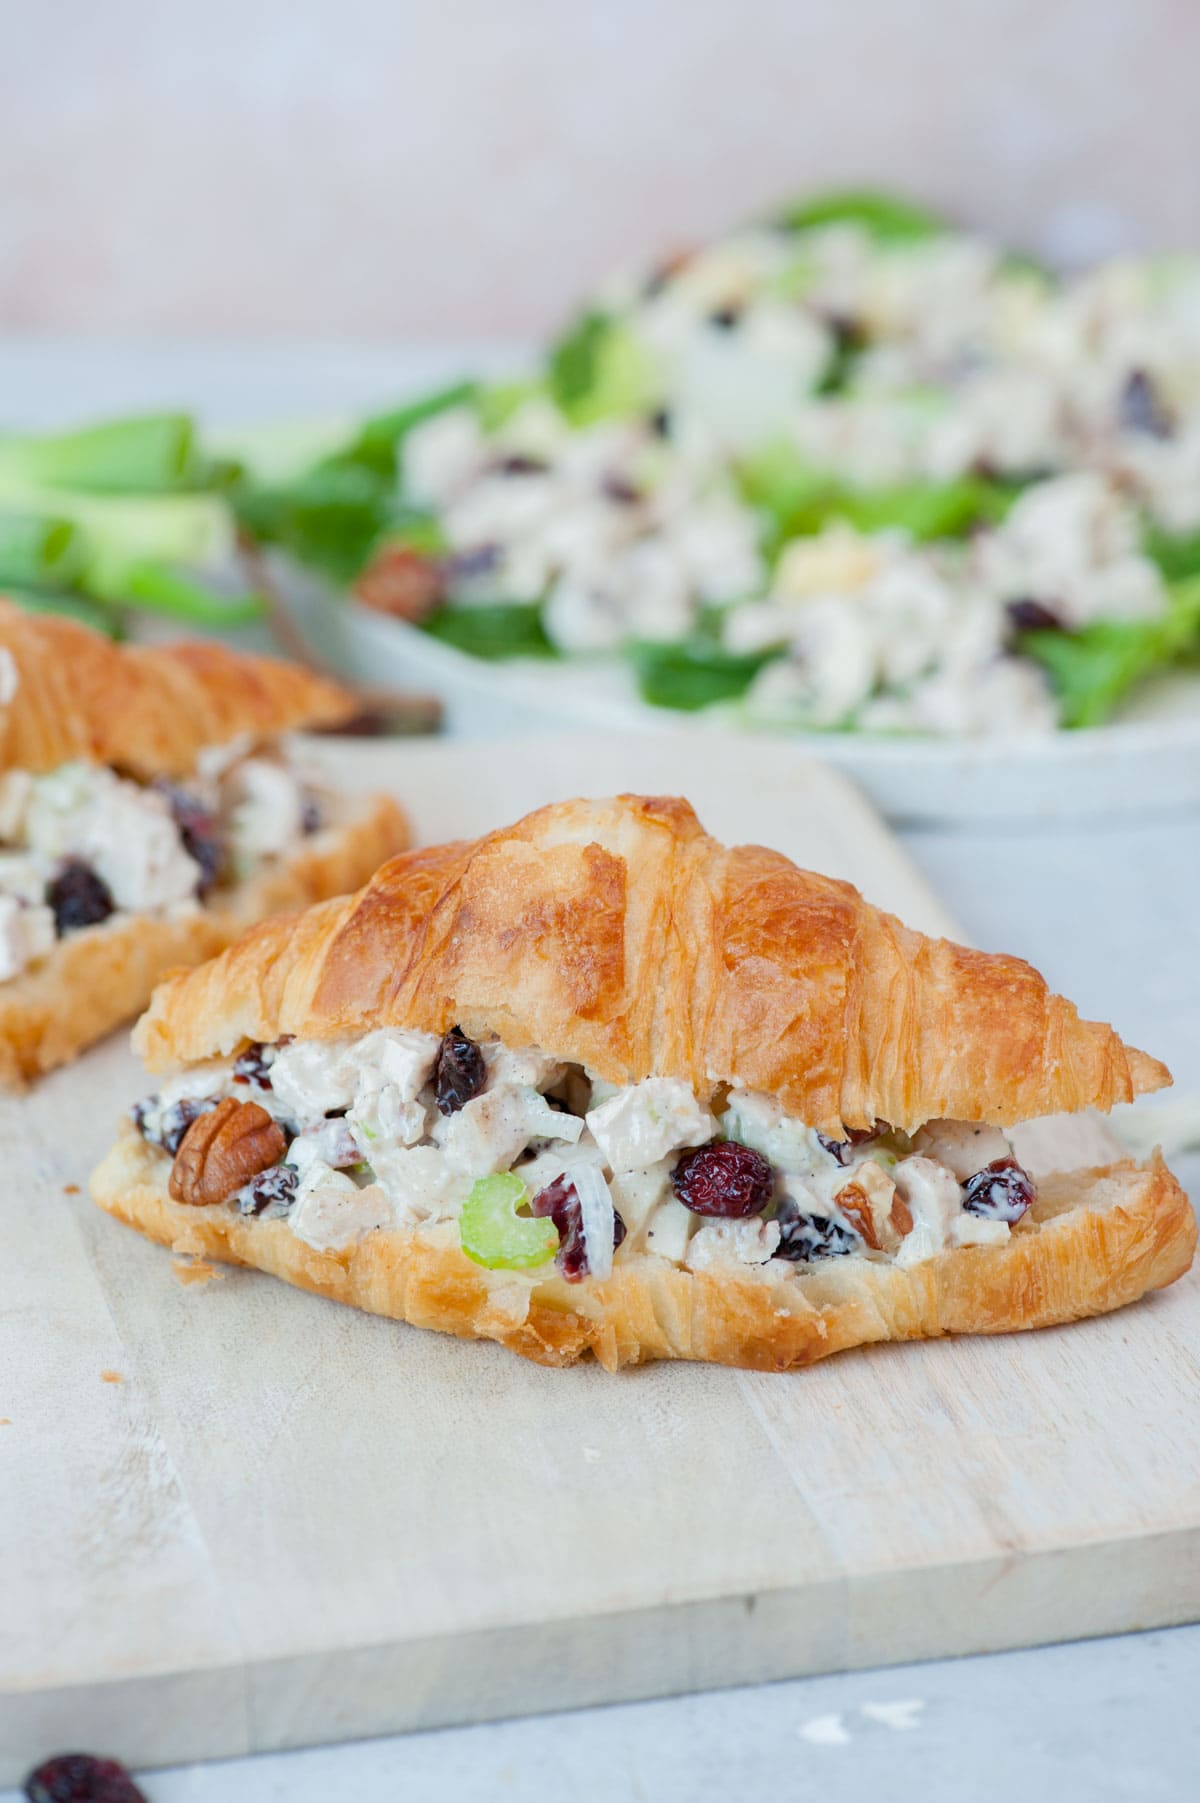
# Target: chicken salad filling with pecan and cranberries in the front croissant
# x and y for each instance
(531, 1162)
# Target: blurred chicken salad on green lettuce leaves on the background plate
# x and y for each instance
(1012, 457)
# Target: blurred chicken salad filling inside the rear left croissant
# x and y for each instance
(84, 843)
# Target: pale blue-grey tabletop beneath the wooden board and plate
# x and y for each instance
(1109, 913)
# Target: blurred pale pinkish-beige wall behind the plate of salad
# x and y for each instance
(386, 170)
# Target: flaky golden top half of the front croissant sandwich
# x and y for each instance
(621, 937)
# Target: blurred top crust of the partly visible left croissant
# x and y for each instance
(145, 709)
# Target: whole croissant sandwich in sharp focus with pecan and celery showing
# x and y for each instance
(599, 1085)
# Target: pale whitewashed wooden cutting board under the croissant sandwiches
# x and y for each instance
(239, 1517)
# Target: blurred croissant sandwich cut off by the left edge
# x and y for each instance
(150, 810)
